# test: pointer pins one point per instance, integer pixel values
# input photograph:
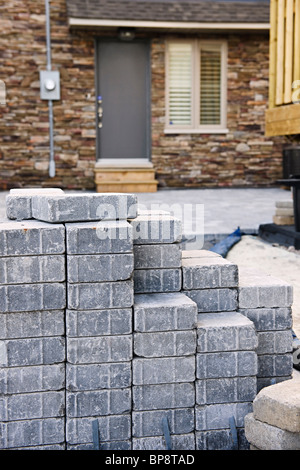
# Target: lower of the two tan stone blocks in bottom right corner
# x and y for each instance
(266, 437)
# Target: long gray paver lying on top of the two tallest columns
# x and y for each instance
(84, 207)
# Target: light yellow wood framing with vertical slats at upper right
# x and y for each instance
(283, 115)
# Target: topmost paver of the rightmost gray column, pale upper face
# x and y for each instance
(258, 290)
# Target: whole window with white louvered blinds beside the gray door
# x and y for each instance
(196, 86)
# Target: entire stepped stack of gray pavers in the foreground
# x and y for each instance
(108, 329)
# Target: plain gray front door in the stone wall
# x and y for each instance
(124, 97)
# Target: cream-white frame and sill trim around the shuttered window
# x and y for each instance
(208, 129)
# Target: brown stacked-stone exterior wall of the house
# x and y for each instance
(242, 157)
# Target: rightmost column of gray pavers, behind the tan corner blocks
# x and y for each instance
(267, 302)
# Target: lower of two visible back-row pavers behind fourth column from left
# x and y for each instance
(214, 300)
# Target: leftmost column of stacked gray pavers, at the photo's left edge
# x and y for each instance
(32, 336)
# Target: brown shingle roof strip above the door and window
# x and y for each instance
(203, 11)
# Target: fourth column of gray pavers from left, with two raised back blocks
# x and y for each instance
(226, 359)
